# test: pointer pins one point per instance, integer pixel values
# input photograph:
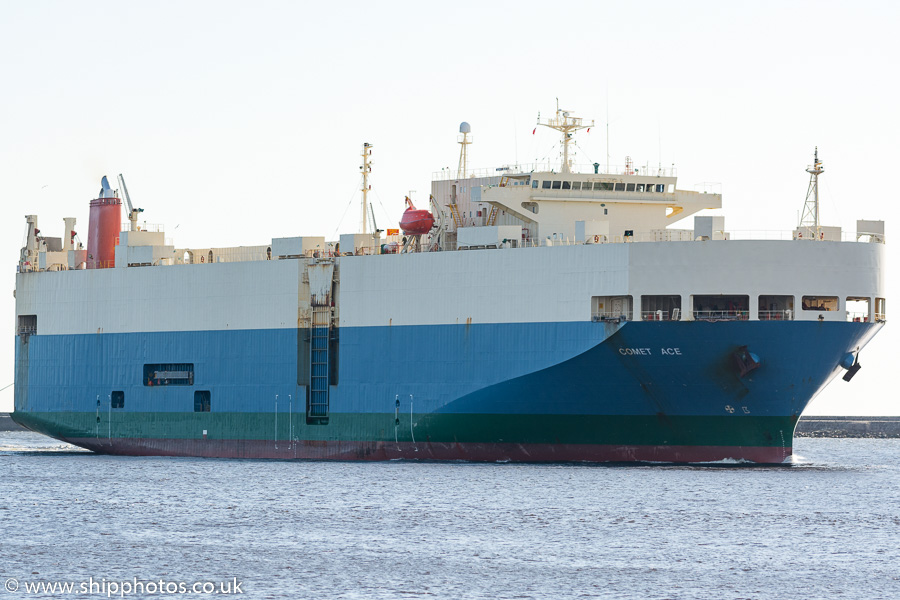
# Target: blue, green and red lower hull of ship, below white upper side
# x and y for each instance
(667, 392)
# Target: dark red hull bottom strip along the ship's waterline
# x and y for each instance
(475, 452)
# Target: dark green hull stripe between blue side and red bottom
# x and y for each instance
(729, 430)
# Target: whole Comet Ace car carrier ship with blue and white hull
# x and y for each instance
(532, 313)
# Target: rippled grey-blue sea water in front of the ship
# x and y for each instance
(826, 527)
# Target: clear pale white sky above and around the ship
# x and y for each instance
(238, 122)
